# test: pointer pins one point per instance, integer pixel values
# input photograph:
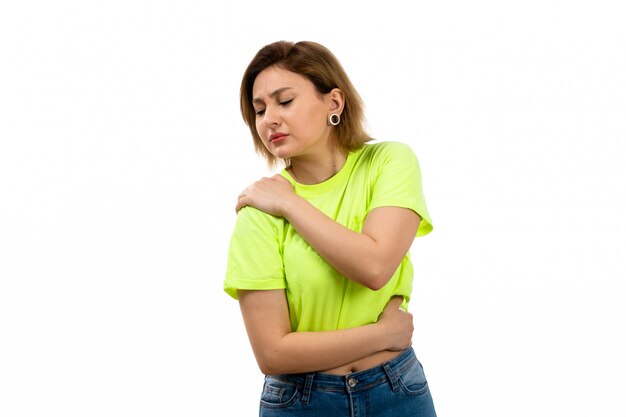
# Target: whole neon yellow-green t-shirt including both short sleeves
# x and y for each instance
(266, 253)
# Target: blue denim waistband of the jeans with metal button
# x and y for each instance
(387, 372)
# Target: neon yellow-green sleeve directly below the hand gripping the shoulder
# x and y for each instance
(255, 253)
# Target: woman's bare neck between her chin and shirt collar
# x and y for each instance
(315, 170)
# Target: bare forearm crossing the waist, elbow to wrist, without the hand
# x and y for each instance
(298, 352)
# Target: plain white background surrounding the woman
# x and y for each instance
(123, 150)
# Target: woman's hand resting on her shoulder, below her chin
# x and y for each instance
(267, 194)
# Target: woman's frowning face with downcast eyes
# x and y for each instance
(290, 114)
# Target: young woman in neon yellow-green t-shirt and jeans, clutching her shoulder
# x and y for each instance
(319, 255)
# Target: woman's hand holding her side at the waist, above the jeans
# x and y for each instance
(397, 325)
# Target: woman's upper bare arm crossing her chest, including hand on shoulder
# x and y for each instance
(369, 256)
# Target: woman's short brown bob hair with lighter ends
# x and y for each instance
(316, 63)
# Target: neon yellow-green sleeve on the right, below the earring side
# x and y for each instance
(399, 183)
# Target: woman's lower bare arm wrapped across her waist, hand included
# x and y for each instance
(278, 350)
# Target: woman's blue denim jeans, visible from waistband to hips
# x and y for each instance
(394, 388)
